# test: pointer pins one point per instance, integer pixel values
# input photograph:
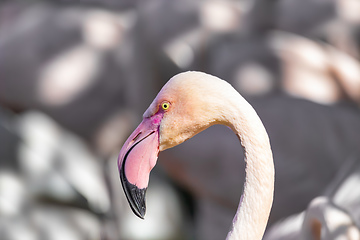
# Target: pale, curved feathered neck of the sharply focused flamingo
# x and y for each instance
(255, 204)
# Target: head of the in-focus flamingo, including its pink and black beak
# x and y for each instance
(177, 113)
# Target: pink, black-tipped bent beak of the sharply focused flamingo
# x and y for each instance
(136, 159)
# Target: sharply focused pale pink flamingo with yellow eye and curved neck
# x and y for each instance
(189, 103)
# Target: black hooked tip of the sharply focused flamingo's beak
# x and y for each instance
(135, 196)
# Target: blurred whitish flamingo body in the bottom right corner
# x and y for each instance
(332, 216)
